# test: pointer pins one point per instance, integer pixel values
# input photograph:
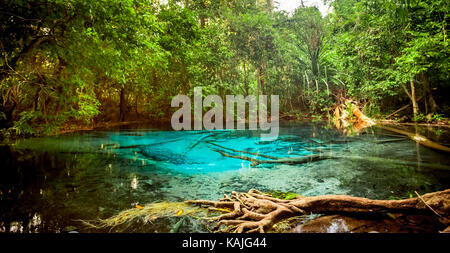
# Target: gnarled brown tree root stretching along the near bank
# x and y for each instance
(257, 212)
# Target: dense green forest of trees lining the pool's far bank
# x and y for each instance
(82, 62)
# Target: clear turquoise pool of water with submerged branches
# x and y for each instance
(49, 183)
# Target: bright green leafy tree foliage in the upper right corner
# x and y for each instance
(379, 46)
